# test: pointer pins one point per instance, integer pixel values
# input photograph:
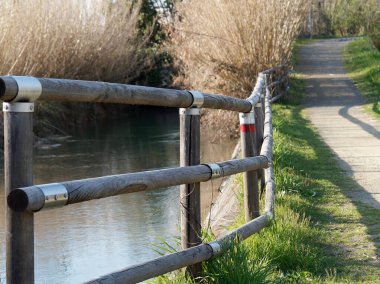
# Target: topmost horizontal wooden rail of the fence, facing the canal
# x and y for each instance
(64, 90)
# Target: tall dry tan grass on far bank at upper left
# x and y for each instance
(91, 40)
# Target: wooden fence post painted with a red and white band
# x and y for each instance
(251, 190)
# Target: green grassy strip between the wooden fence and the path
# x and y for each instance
(319, 234)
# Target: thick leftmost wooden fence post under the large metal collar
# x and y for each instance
(18, 154)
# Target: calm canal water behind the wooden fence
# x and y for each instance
(84, 241)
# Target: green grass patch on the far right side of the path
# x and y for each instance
(362, 60)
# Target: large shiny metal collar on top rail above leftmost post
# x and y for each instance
(29, 89)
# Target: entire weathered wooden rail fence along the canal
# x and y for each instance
(25, 199)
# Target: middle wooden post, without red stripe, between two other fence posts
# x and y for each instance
(190, 193)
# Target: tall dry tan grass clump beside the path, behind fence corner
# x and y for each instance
(223, 44)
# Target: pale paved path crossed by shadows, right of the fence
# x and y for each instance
(334, 106)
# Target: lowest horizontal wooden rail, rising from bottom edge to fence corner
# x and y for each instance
(171, 262)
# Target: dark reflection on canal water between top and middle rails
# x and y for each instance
(142, 139)
